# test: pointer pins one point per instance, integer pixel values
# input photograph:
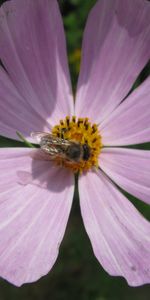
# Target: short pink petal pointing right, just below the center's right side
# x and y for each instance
(129, 168)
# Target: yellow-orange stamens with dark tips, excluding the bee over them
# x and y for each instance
(79, 131)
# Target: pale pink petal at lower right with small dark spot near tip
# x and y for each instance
(120, 236)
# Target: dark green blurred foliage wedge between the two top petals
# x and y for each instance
(75, 14)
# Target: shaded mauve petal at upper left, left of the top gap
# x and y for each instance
(31, 32)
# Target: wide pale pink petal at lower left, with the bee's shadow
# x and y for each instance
(35, 202)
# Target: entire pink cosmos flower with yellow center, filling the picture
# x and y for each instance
(37, 187)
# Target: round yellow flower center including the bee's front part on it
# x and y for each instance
(80, 143)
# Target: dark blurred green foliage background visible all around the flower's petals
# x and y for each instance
(77, 274)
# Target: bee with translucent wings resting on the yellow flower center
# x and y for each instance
(70, 150)
